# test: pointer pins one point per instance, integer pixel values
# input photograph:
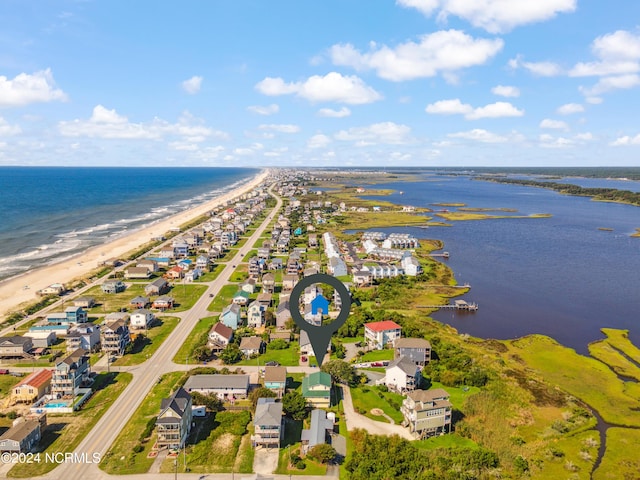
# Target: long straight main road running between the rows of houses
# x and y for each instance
(106, 430)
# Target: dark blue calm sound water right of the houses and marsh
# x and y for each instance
(560, 276)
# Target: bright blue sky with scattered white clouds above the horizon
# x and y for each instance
(320, 83)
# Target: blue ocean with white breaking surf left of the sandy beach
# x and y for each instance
(52, 213)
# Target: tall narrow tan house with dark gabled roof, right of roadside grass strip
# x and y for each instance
(174, 421)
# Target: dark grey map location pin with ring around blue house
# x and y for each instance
(320, 336)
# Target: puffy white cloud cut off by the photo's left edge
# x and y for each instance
(25, 89)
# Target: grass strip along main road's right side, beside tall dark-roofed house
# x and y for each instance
(120, 458)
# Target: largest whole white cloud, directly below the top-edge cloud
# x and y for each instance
(440, 52)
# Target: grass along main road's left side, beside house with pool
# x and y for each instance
(65, 432)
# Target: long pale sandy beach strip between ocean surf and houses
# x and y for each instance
(13, 293)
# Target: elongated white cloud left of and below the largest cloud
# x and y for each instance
(333, 87)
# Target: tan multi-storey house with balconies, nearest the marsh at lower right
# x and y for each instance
(427, 412)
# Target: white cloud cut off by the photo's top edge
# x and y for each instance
(494, 16)
